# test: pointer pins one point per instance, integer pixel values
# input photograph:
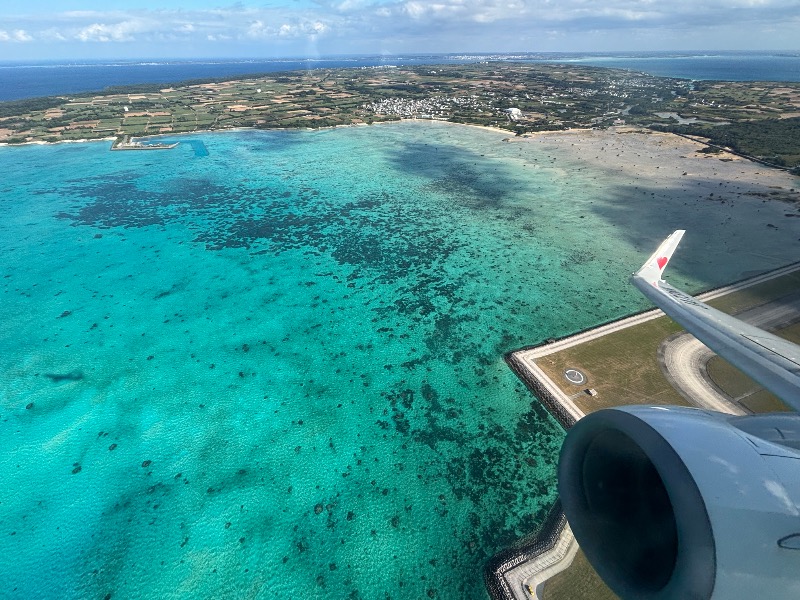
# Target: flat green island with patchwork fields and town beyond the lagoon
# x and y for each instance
(759, 120)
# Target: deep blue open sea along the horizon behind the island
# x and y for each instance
(32, 79)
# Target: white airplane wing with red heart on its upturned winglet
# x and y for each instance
(768, 359)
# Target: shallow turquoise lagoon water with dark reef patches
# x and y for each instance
(275, 369)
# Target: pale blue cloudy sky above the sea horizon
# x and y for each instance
(62, 29)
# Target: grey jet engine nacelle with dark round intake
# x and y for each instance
(671, 502)
